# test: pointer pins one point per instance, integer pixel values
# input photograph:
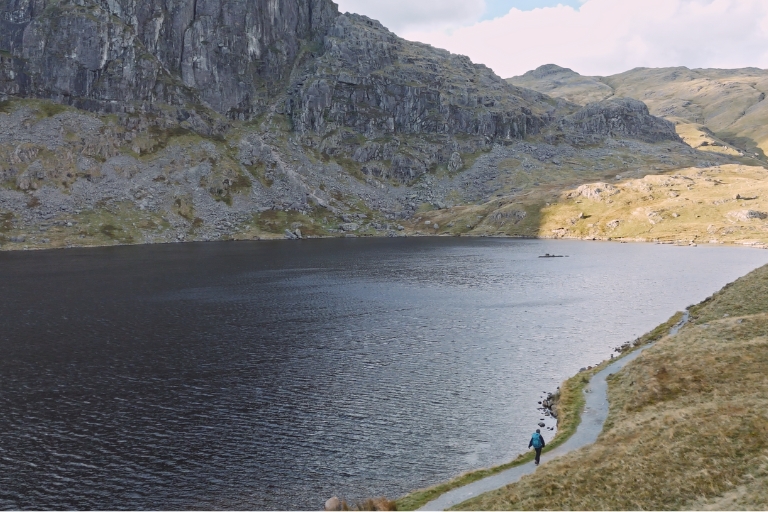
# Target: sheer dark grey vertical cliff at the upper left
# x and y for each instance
(98, 54)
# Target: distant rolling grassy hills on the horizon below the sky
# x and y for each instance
(715, 109)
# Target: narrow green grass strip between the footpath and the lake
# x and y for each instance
(570, 404)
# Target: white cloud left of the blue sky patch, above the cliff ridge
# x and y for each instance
(402, 16)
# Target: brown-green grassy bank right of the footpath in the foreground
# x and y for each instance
(687, 427)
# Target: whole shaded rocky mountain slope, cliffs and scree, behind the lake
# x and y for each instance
(146, 122)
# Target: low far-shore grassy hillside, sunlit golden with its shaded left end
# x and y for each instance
(721, 204)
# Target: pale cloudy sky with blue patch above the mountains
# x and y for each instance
(592, 37)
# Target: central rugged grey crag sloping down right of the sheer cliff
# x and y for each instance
(373, 96)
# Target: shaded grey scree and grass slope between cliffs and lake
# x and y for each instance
(70, 178)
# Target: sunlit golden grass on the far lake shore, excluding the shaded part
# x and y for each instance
(689, 205)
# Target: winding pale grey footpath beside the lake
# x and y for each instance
(592, 420)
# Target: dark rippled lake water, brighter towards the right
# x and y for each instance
(273, 375)
